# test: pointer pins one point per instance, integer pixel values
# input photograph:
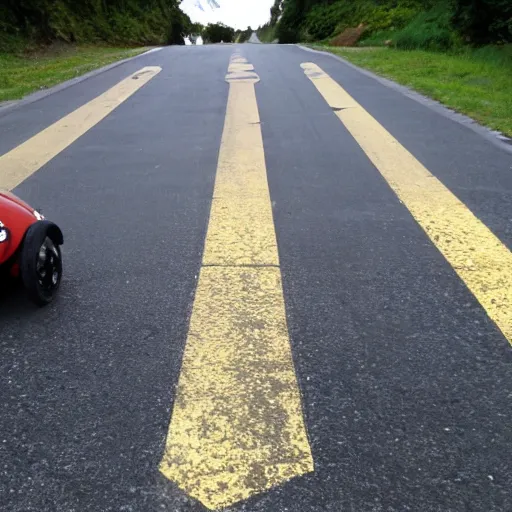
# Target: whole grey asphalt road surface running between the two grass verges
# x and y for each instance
(403, 386)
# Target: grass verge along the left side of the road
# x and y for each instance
(21, 75)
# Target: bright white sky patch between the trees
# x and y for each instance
(234, 13)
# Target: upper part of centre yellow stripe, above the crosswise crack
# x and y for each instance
(241, 229)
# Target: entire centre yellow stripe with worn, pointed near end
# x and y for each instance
(237, 426)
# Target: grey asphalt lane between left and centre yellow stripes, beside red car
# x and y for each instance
(86, 387)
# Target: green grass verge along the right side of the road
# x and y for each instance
(477, 83)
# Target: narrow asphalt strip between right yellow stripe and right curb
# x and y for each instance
(476, 171)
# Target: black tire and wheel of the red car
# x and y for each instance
(41, 262)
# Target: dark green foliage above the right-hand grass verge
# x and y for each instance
(430, 24)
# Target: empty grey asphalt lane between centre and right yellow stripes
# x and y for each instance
(406, 381)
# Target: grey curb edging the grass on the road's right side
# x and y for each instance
(495, 137)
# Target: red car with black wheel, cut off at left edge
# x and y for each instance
(29, 249)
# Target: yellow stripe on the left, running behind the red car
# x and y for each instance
(20, 163)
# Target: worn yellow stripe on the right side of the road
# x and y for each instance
(481, 260)
